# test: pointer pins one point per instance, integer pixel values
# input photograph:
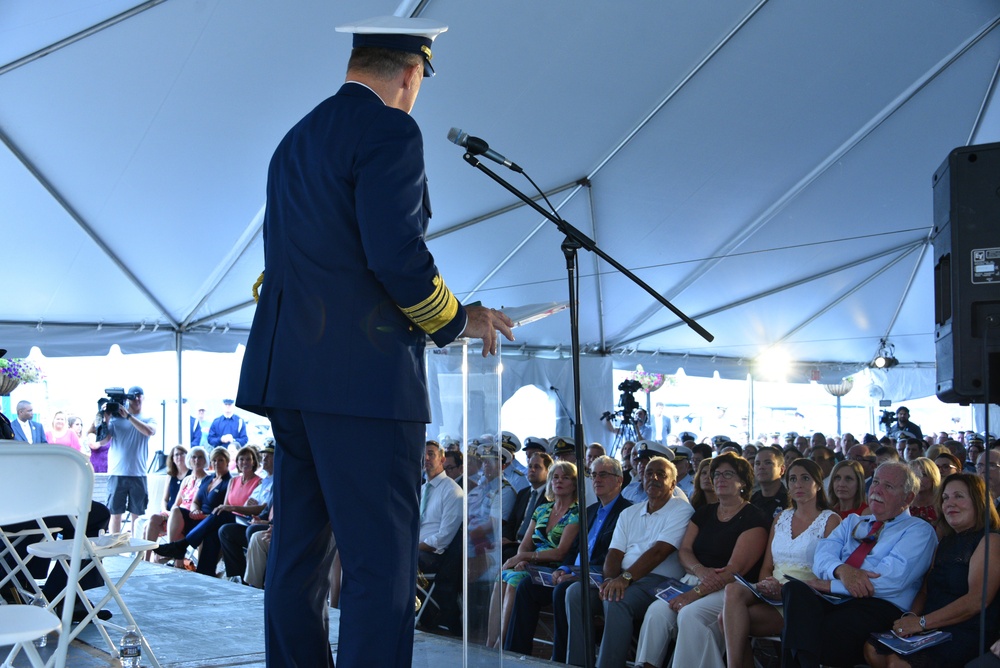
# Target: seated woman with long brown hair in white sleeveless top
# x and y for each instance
(790, 550)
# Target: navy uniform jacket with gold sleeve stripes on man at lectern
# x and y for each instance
(350, 288)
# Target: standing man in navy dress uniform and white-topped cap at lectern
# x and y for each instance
(335, 354)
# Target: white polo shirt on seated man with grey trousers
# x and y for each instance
(637, 530)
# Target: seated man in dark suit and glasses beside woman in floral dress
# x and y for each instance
(530, 597)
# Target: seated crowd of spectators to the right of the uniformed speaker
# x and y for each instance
(787, 519)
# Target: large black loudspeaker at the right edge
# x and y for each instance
(967, 275)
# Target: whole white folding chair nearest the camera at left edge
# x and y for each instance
(43, 481)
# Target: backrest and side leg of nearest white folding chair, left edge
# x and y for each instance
(41, 481)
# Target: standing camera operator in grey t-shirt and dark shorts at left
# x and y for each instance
(129, 433)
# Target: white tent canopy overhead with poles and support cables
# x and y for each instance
(766, 165)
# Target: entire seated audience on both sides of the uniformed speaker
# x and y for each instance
(897, 527)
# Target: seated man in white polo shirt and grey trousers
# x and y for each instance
(642, 554)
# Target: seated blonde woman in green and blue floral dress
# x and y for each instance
(550, 535)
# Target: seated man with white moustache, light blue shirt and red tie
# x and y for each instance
(877, 560)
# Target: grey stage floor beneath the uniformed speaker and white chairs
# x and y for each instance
(193, 621)
